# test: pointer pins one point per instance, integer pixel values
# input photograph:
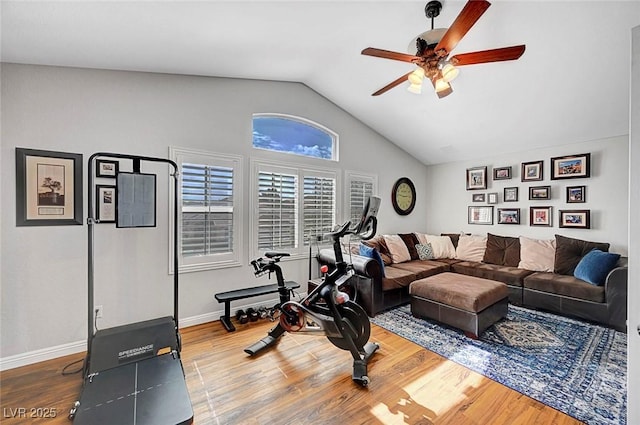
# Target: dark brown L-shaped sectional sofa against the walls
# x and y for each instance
(558, 291)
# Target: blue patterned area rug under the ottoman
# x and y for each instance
(575, 367)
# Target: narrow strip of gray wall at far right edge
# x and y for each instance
(633, 371)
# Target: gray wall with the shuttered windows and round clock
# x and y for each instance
(44, 269)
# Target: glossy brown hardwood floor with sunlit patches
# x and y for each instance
(302, 380)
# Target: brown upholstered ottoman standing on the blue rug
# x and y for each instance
(469, 303)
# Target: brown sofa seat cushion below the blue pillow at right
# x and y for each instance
(567, 286)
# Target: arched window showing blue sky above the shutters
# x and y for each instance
(294, 135)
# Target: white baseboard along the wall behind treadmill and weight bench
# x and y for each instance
(50, 353)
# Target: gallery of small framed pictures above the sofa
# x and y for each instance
(497, 184)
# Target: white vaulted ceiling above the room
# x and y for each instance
(571, 85)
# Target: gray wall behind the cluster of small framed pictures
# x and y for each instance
(606, 194)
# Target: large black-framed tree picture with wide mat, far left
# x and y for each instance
(61, 174)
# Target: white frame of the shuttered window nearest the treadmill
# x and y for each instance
(182, 155)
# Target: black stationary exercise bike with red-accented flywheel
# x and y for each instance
(326, 310)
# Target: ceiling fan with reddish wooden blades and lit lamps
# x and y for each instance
(434, 46)
